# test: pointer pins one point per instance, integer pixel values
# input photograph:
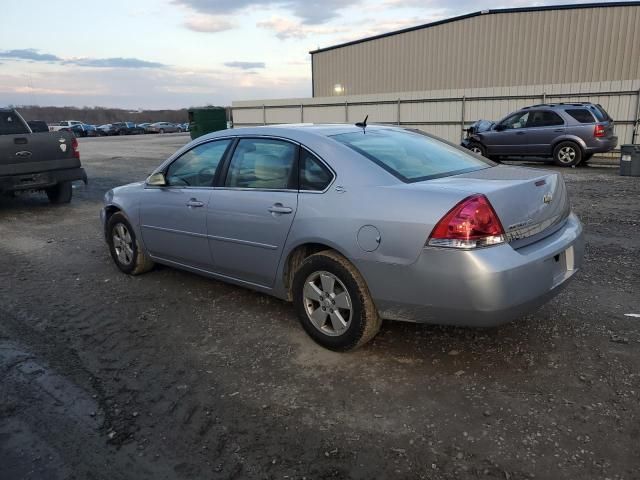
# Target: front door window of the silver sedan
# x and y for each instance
(197, 167)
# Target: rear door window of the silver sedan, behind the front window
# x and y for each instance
(262, 163)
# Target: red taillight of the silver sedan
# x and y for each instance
(472, 223)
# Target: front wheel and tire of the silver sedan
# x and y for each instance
(125, 248)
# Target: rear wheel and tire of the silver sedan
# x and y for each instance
(333, 302)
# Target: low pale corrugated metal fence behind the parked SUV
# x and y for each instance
(444, 112)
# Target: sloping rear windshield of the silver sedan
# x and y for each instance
(411, 157)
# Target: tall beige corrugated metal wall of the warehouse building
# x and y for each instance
(492, 50)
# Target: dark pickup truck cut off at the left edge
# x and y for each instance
(48, 161)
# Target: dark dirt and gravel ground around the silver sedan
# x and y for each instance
(170, 375)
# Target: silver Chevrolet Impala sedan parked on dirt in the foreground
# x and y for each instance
(353, 225)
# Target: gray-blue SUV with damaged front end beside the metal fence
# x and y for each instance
(570, 133)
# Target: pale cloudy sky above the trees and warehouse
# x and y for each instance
(152, 54)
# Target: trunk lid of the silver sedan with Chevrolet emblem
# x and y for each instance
(530, 203)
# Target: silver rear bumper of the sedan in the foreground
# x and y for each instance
(481, 288)
